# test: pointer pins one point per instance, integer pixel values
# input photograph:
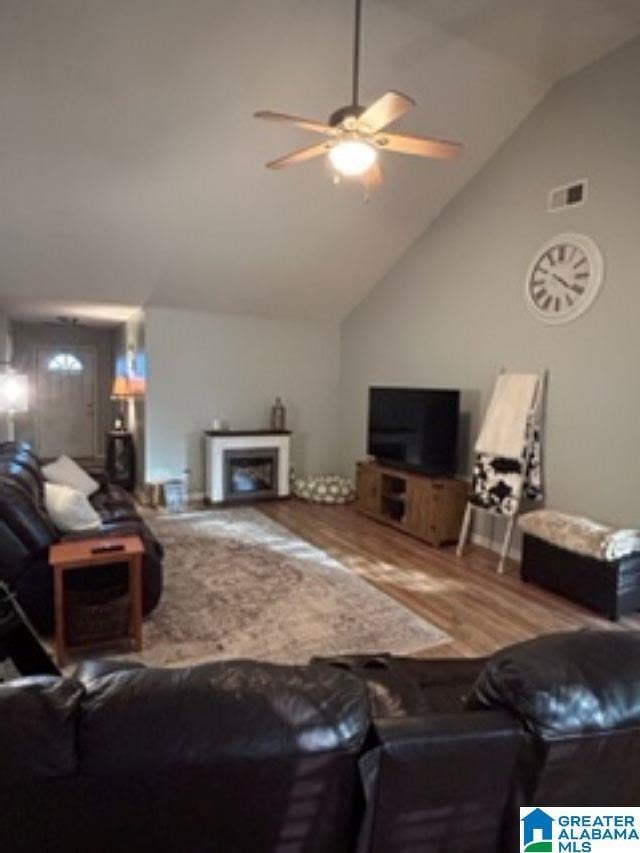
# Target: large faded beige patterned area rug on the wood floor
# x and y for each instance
(237, 584)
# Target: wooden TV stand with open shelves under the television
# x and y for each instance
(430, 508)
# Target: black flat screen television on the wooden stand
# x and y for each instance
(415, 428)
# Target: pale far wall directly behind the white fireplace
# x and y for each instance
(232, 367)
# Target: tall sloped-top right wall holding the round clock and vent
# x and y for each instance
(451, 312)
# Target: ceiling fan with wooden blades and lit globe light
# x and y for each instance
(356, 134)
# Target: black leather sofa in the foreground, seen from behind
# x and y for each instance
(374, 755)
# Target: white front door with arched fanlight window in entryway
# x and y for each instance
(65, 401)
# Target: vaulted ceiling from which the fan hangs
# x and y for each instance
(132, 171)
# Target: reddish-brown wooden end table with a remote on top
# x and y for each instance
(81, 554)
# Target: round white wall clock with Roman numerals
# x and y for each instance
(564, 278)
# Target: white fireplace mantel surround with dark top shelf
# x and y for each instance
(217, 442)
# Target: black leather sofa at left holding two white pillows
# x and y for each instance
(26, 532)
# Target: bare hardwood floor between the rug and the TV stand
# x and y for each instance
(481, 610)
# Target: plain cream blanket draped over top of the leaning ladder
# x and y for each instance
(505, 425)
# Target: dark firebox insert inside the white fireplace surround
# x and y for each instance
(250, 473)
